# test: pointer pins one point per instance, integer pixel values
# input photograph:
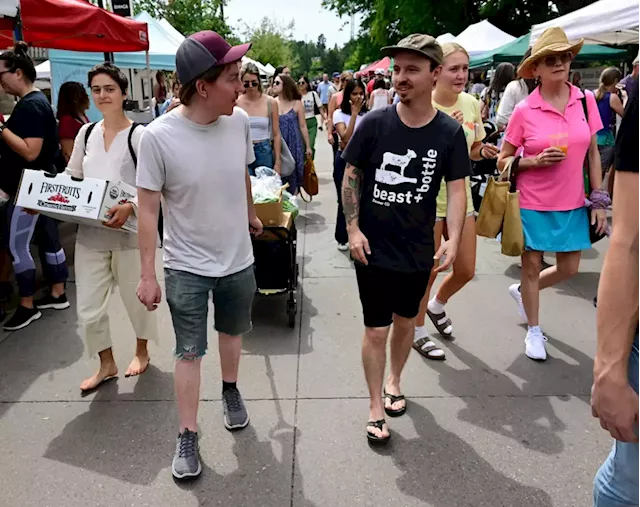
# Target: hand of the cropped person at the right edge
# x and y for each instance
(617, 406)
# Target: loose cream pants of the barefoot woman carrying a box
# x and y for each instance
(97, 273)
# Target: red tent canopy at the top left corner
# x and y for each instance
(75, 25)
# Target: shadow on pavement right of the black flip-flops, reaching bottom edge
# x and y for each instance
(463, 479)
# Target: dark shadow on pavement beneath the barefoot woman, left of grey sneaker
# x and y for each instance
(117, 438)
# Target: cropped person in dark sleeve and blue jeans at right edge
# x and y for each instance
(615, 400)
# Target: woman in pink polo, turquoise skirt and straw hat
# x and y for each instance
(550, 130)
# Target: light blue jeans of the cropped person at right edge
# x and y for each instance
(617, 483)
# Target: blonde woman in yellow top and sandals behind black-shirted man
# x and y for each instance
(449, 97)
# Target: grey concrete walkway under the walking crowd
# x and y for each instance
(488, 427)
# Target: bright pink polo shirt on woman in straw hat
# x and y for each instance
(533, 126)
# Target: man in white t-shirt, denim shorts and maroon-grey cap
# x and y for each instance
(196, 158)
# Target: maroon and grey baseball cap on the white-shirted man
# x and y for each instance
(204, 50)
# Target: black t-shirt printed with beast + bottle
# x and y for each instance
(402, 170)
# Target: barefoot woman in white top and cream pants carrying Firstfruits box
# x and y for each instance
(106, 258)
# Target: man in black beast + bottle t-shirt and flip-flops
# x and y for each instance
(396, 160)
